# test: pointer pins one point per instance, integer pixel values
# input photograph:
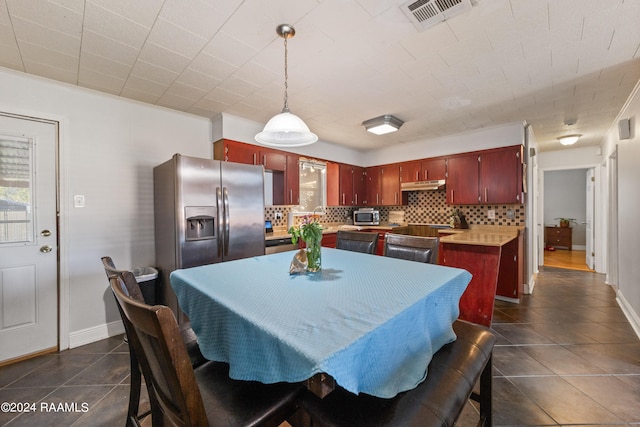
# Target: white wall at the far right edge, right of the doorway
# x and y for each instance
(628, 233)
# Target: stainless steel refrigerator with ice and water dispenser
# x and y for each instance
(206, 211)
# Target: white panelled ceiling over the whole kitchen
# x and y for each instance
(504, 61)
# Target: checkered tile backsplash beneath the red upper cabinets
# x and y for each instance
(423, 207)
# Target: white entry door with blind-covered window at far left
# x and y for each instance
(28, 237)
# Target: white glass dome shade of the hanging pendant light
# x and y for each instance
(286, 130)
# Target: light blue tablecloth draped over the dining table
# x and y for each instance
(371, 322)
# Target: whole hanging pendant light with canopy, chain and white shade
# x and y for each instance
(286, 129)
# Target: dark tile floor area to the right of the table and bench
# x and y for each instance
(566, 355)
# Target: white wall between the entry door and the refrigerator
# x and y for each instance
(108, 146)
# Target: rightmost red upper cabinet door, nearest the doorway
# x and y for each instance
(501, 175)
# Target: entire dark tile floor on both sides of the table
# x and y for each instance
(565, 356)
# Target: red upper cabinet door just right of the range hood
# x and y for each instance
(463, 179)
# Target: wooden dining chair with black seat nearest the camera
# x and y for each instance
(195, 397)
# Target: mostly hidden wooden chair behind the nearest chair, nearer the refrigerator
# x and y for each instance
(134, 414)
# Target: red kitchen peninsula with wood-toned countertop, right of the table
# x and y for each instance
(494, 255)
